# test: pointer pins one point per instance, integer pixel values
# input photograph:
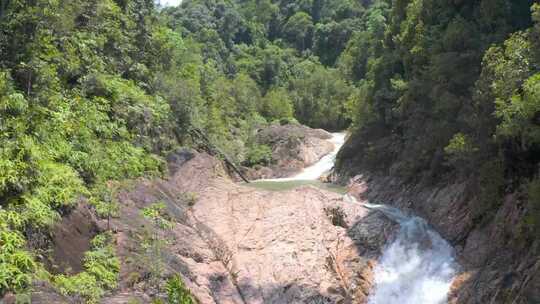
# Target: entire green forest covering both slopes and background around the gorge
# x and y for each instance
(94, 92)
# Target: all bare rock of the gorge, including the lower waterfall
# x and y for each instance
(231, 243)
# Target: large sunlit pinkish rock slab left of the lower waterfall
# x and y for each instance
(243, 245)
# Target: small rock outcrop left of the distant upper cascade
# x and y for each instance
(294, 147)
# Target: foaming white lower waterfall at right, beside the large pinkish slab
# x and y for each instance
(417, 267)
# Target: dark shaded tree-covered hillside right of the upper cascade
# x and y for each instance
(449, 92)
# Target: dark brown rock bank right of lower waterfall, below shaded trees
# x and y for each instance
(497, 266)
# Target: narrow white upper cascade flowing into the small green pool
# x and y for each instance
(324, 165)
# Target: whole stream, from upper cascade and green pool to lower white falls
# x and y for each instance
(417, 266)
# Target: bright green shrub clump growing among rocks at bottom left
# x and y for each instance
(101, 268)
